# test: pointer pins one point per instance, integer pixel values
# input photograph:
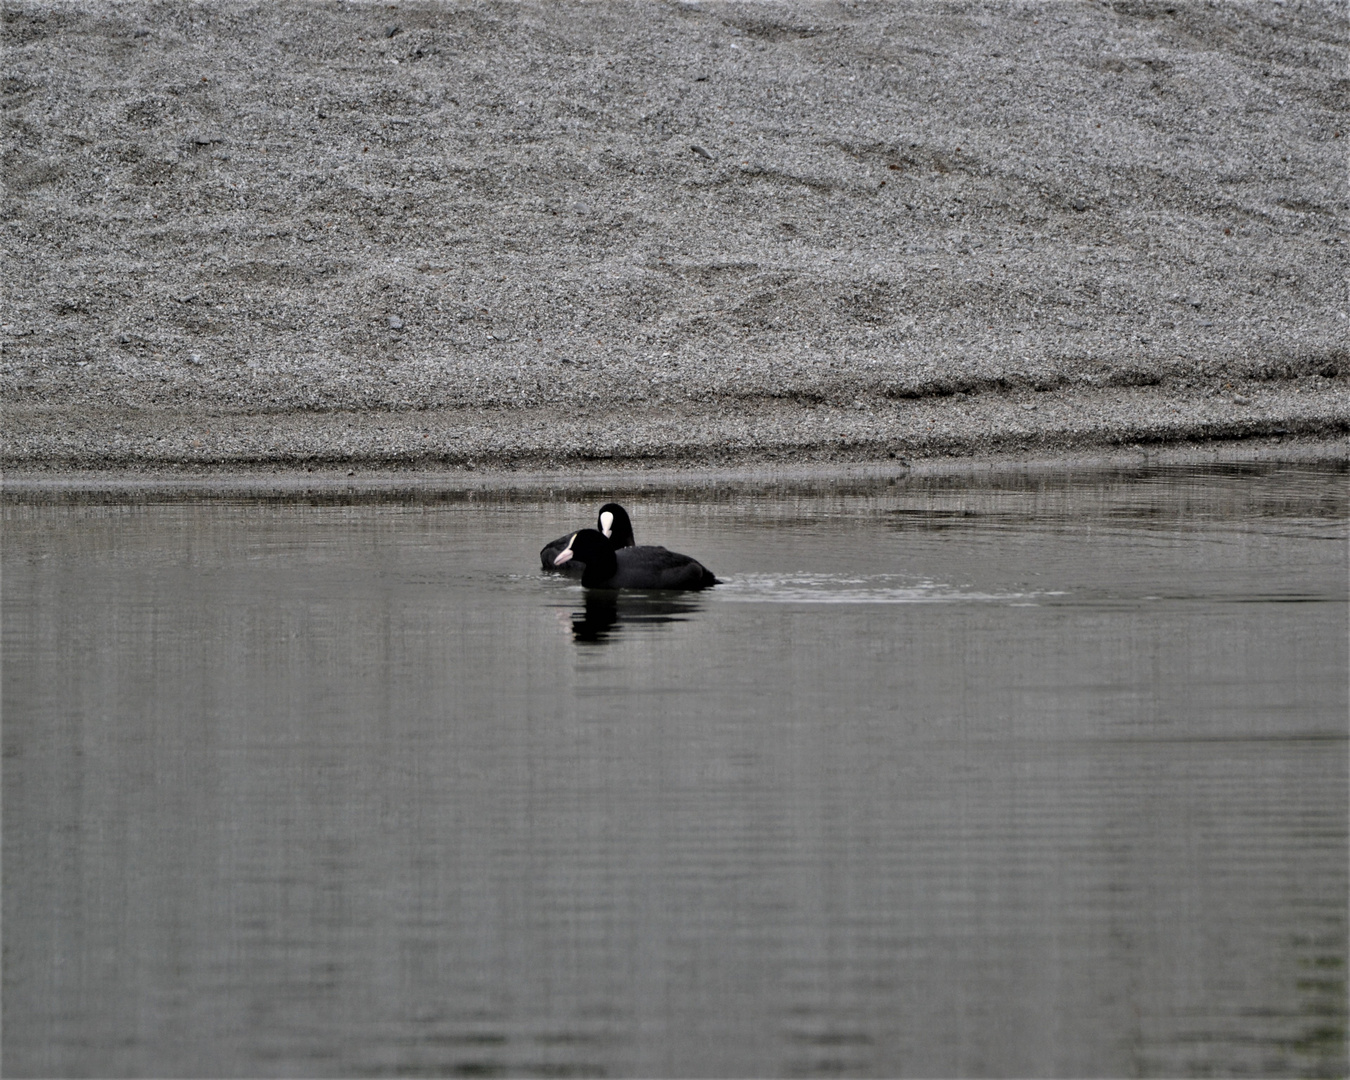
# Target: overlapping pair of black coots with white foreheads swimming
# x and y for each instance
(608, 558)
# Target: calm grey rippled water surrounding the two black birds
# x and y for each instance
(1033, 777)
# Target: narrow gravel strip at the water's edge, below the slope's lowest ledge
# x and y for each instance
(686, 434)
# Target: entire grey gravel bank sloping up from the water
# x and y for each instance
(669, 232)
